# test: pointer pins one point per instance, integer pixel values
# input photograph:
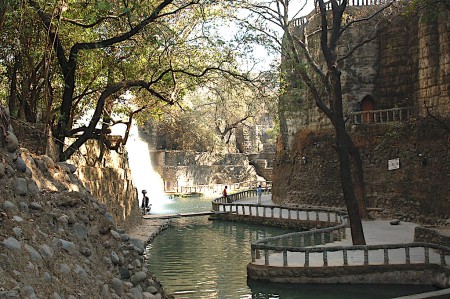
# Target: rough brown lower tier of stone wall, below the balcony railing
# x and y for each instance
(418, 191)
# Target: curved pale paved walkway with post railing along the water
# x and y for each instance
(390, 256)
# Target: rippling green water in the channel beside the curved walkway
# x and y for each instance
(203, 259)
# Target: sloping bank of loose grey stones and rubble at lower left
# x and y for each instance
(58, 241)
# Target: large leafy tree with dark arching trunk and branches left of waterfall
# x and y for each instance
(153, 50)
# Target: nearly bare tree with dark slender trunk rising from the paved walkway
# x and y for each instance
(321, 77)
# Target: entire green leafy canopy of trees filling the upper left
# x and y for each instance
(81, 67)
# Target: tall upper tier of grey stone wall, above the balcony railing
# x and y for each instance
(407, 65)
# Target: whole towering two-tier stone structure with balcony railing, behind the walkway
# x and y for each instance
(396, 96)
